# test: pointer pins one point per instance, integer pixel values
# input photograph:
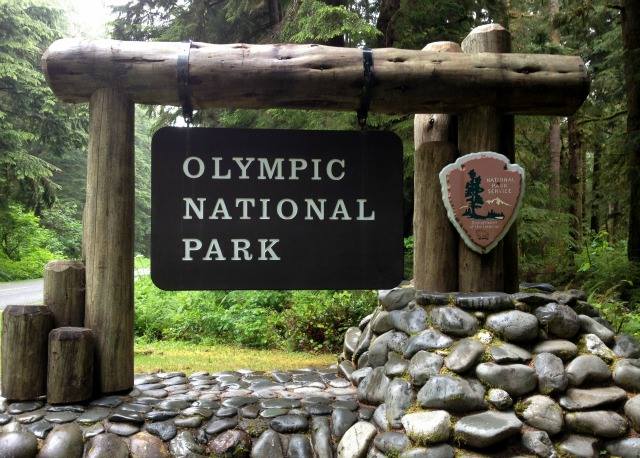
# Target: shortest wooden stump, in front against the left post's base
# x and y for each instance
(70, 371)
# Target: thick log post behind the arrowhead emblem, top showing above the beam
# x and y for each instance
(481, 129)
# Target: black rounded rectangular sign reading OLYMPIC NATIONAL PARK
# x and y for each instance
(276, 209)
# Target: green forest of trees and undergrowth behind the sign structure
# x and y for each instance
(574, 227)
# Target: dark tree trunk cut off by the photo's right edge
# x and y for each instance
(631, 42)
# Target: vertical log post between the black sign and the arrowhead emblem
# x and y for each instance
(435, 258)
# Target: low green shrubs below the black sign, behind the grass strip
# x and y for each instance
(297, 320)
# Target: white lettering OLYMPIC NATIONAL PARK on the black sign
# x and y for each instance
(263, 208)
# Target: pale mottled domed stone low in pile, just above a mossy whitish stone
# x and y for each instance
(452, 394)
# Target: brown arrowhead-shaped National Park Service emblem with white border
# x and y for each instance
(482, 193)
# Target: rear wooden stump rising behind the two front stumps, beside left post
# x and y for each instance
(64, 292)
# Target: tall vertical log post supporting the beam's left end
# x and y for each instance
(108, 238)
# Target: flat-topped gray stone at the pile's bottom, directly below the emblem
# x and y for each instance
(487, 428)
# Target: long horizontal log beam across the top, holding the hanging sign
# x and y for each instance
(318, 77)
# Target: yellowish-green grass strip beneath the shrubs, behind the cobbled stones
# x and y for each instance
(190, 357)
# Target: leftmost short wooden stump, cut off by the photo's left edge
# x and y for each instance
(25, 329)
